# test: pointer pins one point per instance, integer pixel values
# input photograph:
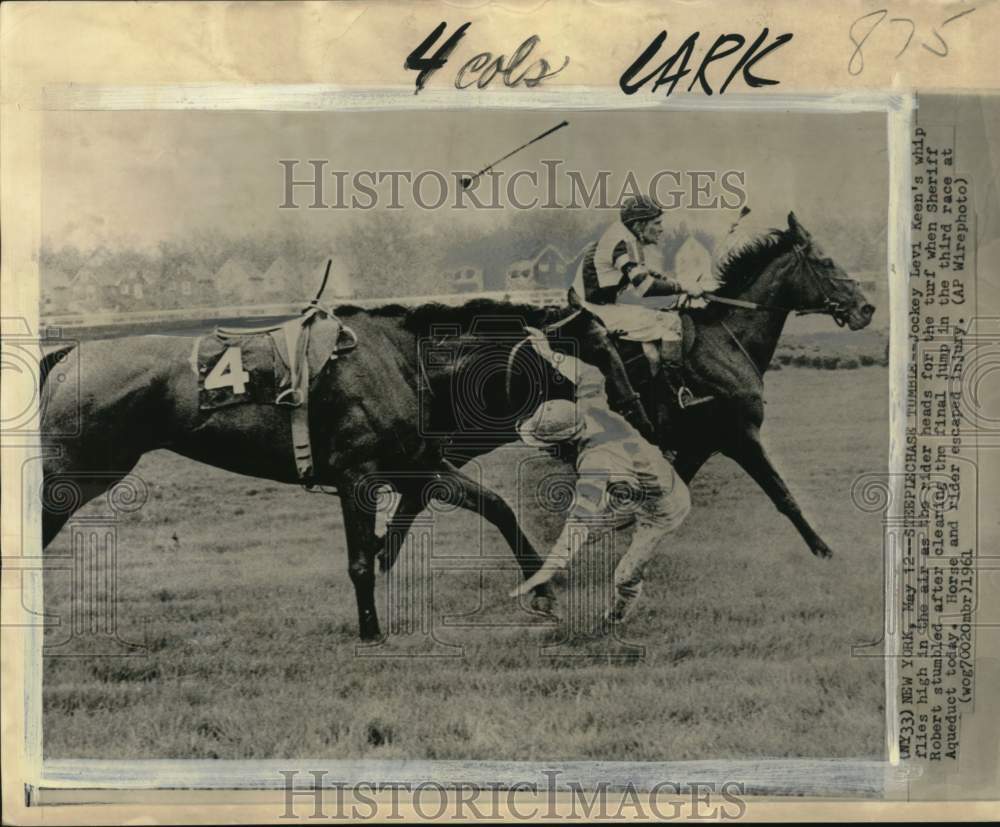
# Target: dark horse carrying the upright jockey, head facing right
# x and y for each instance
(728, 347)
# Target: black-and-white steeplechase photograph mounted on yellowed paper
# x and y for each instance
(537, 435)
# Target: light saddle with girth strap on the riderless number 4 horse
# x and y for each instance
(292, 377)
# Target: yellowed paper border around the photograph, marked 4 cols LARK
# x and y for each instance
(44, 47)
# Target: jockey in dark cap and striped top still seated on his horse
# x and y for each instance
(616, 274)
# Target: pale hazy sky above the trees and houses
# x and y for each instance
(140, 177)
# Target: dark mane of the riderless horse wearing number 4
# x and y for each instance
(488, 315)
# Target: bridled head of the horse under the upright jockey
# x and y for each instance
(819, 285)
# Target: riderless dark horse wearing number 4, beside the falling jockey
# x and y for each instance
(372, 417)
